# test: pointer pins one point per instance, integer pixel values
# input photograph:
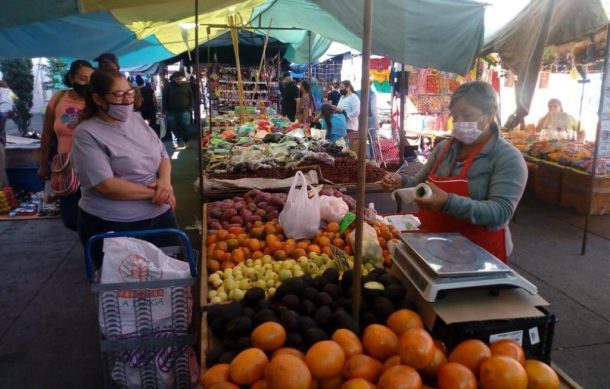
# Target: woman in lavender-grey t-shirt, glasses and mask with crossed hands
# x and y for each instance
(123, 167)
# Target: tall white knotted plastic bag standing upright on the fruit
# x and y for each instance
(300, 217)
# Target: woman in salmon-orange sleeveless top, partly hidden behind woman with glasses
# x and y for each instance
(61, 118)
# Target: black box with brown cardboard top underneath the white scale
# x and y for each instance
(476, 314)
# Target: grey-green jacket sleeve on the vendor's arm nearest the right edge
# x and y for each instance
(506, 185)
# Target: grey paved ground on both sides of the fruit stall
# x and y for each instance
(48, 333)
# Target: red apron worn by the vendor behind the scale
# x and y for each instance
(492, 241)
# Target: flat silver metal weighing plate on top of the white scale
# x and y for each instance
(452, 255)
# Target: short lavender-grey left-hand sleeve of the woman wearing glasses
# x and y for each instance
(90, 161)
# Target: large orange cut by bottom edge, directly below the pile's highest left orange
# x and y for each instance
(287, 371)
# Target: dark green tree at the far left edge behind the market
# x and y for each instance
(18, 75)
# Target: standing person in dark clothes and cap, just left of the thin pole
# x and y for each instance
(177, 105)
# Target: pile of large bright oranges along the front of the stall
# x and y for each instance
(382, 359)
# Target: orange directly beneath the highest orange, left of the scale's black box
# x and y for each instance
(416, 348)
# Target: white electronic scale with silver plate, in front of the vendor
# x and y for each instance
(440, 262)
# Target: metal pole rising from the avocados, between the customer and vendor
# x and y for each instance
(362, 132)
